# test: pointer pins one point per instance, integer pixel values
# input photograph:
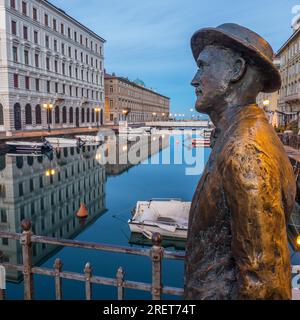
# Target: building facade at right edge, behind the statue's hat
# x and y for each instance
(289, 96)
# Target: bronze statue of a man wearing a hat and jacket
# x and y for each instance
(237, 244)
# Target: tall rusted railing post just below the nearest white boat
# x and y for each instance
(156, 256)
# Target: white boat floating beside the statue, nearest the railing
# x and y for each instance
(169, 217)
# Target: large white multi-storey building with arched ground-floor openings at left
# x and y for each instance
(48, 58)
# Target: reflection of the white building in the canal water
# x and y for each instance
(48, 191)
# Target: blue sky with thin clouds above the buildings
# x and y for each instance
(150, 39)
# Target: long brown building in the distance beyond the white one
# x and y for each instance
(132, 101)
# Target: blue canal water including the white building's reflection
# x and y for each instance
(49, 192)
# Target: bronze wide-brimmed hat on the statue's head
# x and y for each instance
(253, 47)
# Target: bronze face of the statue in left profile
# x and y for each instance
(212, 81)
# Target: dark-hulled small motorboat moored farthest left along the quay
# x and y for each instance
(27, 147)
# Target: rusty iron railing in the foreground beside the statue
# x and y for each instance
(27, 238)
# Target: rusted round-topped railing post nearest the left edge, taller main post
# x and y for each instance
(27, 260)
